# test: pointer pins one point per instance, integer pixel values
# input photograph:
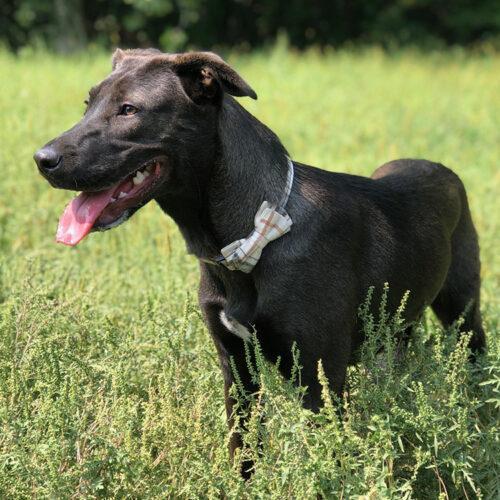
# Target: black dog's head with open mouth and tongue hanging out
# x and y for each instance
(149, 127)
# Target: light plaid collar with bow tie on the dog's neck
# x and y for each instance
(271, 222)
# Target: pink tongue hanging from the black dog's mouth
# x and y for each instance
(80, 215)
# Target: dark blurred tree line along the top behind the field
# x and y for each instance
(68, 25)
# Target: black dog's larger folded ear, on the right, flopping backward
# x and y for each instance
(205, 75)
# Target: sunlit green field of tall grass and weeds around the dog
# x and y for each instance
(109, 383)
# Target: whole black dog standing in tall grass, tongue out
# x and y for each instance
(163, 127)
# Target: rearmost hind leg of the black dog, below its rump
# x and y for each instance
(459, 295)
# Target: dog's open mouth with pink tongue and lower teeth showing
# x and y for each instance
(108, 208)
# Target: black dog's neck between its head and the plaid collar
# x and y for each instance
(248, 166)
